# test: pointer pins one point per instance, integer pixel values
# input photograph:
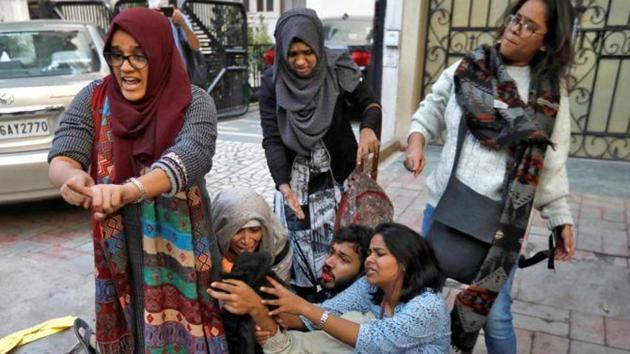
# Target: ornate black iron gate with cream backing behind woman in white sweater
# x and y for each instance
(600, 76)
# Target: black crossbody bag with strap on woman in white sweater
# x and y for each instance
(464, 225)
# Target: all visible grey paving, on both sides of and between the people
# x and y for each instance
(581, 308)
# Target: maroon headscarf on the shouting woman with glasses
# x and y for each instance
(143, 129)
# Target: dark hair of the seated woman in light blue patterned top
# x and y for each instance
(416, 256)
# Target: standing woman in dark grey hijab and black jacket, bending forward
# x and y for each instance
(308, 141)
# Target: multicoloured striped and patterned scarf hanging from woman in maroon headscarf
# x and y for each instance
(179, 316)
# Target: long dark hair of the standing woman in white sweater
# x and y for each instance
(554, 63)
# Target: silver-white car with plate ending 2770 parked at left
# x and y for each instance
(43, 65)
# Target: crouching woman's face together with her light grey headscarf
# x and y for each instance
(243, 222)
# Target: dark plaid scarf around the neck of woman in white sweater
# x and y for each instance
(499, 119)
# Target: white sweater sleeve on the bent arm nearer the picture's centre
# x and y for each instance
(429, 117)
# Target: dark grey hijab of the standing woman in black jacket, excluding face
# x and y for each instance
(305, 106)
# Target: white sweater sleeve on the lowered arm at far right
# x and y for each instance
(553, 187)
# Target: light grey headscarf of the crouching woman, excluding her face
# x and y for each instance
(232, 208)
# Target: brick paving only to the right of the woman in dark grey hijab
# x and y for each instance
(583, 307)
